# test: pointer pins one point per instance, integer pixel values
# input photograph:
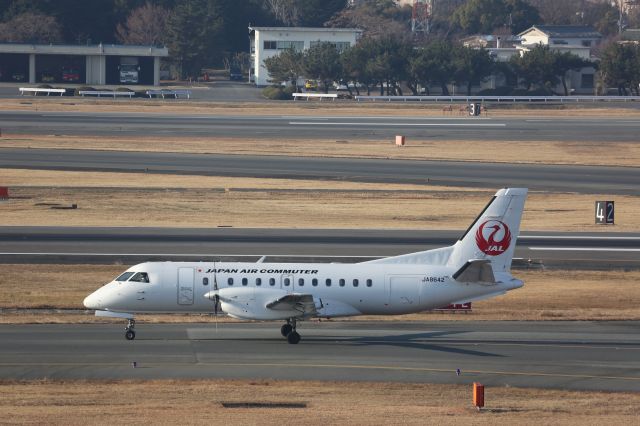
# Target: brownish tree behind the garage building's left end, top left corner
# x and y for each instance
(32, 28)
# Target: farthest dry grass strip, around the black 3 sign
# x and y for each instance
(296, 108)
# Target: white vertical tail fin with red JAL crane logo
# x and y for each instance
(493, 234)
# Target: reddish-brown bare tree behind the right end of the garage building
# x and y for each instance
(146, 25)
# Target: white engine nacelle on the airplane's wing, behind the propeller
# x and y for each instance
(251, 303)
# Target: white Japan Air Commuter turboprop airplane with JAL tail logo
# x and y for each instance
(476, 267)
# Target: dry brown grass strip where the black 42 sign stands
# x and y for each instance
(108, 199)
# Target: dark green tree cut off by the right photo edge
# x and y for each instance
(620, 67)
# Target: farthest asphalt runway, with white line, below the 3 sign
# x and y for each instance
(569, 129)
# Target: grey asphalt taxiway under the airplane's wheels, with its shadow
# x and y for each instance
(562, 355)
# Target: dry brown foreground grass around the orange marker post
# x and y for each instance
(200, 402)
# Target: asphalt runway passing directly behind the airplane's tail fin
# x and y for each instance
(134, 245)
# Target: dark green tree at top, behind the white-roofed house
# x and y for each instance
(484, 16)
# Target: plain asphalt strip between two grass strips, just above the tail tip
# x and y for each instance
(563, 178)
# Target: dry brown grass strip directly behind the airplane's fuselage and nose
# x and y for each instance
(552, 295)
